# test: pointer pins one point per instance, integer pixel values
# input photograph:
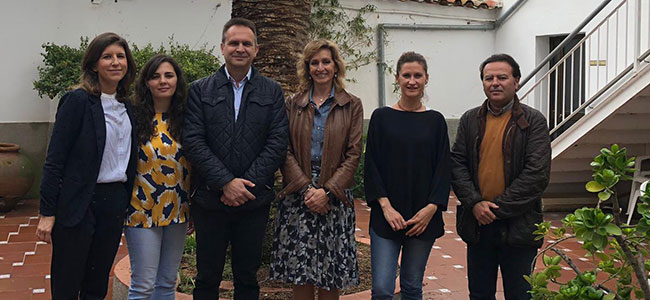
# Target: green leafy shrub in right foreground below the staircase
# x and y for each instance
(618, 251)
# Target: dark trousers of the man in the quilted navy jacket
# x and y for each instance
(244, 231)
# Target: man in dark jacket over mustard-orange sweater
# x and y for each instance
(501, 166)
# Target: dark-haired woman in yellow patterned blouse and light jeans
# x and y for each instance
(158, 213)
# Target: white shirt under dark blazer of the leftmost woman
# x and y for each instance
(117, 149)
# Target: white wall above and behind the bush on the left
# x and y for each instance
(28, 24)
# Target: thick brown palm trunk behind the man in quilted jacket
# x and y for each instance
(282, 32)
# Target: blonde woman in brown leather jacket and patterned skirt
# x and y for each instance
(314, 244)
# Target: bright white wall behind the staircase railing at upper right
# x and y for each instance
(610, 49)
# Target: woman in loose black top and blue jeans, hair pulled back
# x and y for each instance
(406, 183)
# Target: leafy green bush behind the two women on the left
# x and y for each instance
(61, 67)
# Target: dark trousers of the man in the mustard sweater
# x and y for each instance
(491, 253)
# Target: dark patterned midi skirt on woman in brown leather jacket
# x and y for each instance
(310, 248)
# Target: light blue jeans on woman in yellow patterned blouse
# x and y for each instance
(155, 254)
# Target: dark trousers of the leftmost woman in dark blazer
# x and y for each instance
(82, 255)
